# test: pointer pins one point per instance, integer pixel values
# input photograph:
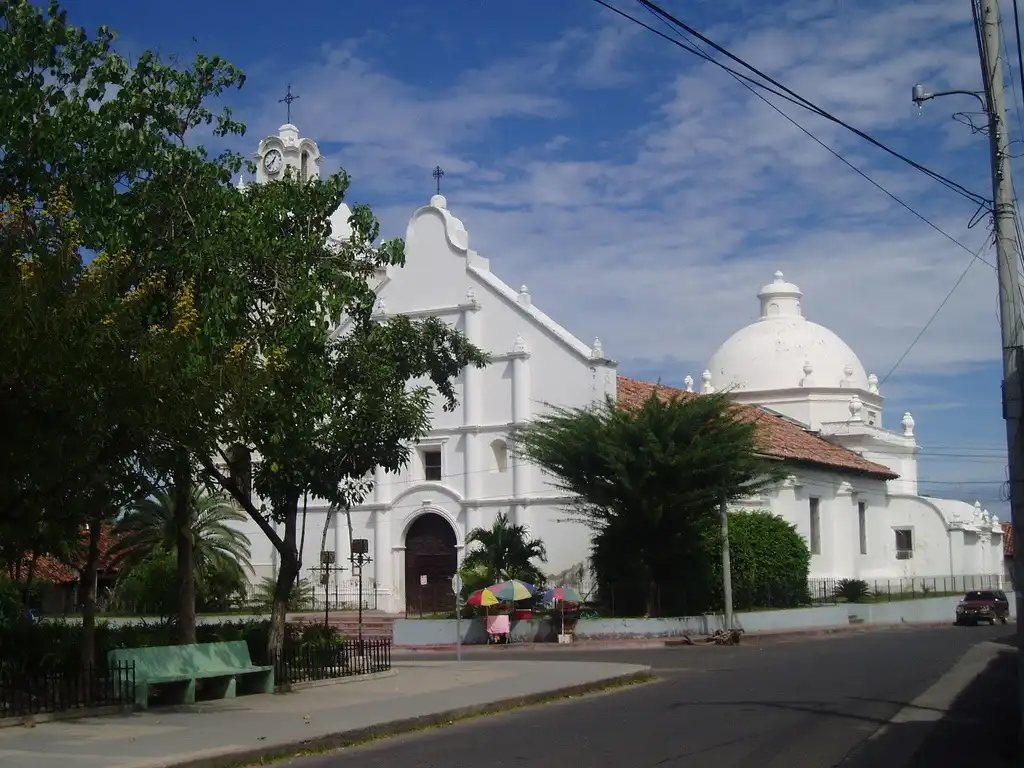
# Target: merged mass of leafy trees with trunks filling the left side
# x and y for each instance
(155, 316)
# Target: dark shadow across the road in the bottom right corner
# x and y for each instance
(980, 728)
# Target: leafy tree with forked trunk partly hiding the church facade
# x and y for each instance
(323, 393)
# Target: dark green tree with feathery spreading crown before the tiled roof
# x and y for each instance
(649, 483)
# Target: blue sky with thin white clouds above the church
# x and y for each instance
(645, 196)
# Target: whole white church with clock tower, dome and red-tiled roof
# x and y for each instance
(852, 491)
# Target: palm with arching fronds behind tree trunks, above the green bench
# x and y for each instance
(148, 528)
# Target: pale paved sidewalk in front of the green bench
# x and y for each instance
(222, 734)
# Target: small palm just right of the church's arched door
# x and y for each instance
(504, 551)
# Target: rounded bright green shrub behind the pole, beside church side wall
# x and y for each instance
(771, 562)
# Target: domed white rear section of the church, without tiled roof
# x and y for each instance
(859, 525)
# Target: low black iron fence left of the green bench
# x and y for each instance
(63, 691)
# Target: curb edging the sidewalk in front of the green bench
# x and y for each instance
(342, 740)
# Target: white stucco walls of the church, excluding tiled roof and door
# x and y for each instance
(537, 362)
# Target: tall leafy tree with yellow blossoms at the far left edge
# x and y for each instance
(75, 117)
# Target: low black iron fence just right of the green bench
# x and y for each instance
(329, 662)
